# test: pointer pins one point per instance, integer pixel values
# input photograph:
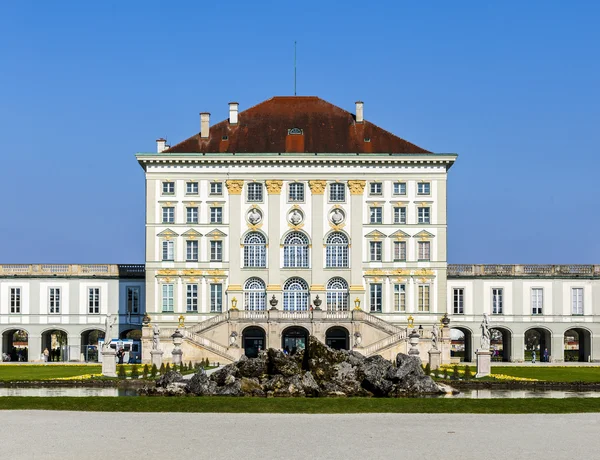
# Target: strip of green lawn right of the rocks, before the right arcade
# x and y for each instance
(552, 374)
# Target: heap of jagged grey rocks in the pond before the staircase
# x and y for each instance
(316, 371)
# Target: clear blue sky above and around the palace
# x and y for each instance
(512, 87)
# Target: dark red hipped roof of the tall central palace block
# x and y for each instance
(325, 128)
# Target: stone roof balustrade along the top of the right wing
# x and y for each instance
(575, 271)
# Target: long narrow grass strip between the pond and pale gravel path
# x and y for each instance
(304, 405)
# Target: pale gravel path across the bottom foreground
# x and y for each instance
(91, 435)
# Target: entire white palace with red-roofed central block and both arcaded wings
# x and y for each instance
(296, 217)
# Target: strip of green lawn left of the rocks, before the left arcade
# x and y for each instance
(21, 372)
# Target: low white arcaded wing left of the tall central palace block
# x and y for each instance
(63, 308)
